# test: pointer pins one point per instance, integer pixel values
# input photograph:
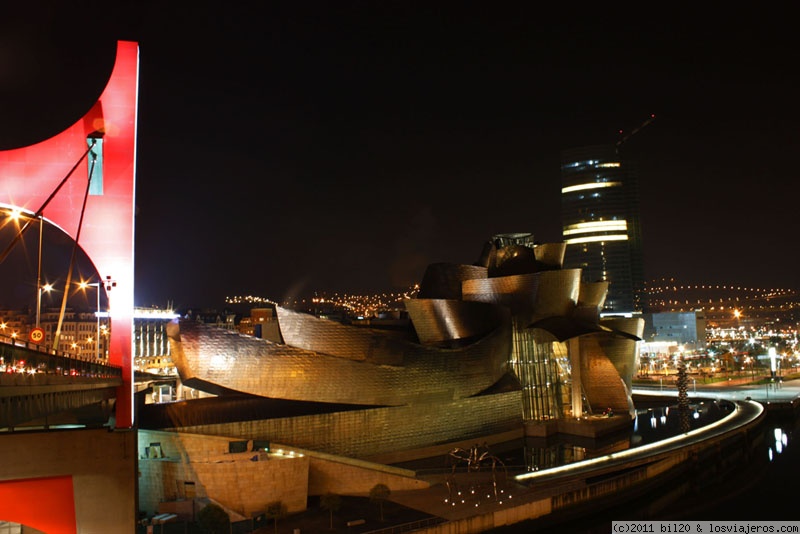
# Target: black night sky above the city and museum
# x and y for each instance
(343, 146)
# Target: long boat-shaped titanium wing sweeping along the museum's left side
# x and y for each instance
(205, 355)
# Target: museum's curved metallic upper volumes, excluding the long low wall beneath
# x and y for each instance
(468, 330)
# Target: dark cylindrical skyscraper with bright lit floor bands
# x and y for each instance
(600, 218)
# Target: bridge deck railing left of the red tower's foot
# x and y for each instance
(21, 356)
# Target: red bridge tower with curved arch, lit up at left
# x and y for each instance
(30, 175)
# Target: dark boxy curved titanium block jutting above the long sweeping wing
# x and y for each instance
(437, 320)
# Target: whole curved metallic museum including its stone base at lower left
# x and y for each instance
(508, 348)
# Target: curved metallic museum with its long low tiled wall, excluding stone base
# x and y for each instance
(489, 348)
